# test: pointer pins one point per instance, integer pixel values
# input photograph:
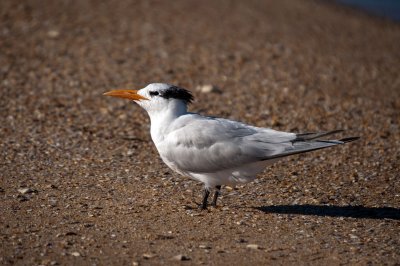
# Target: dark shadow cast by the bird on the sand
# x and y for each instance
(335, 211)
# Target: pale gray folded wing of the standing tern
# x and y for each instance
(204, 144)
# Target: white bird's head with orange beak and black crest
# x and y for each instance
(157, 97)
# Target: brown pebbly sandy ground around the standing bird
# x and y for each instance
(81, 182)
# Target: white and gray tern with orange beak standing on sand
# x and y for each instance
(215, 151)
